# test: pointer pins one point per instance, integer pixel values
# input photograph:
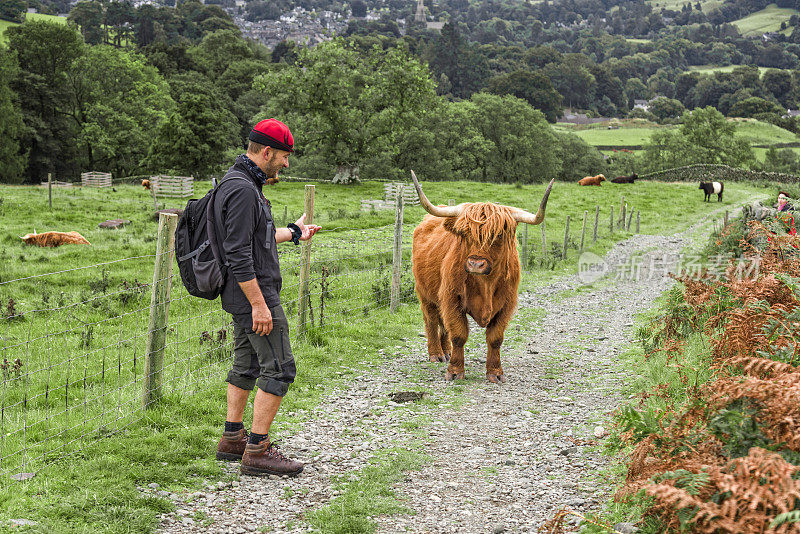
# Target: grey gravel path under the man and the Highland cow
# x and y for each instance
(501, 458)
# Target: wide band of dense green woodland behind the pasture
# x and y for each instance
(179, 92)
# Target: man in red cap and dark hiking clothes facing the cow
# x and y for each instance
(262, 356)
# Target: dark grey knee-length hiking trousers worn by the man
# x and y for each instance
(263, 361)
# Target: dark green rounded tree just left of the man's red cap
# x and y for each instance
(194, 138)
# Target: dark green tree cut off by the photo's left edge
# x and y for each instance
(12, 158)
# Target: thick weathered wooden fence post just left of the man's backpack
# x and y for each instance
(159, 309)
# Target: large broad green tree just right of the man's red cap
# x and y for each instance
(348, 109)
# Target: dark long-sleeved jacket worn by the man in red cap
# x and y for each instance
(246, 233)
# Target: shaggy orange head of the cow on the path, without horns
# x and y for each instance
(486, 232)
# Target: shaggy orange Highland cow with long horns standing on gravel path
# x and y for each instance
(465, 262)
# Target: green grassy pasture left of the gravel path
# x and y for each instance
(81, 335)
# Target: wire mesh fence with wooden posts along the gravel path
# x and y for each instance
(77, 345)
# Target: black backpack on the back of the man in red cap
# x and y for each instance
(202, 268)
